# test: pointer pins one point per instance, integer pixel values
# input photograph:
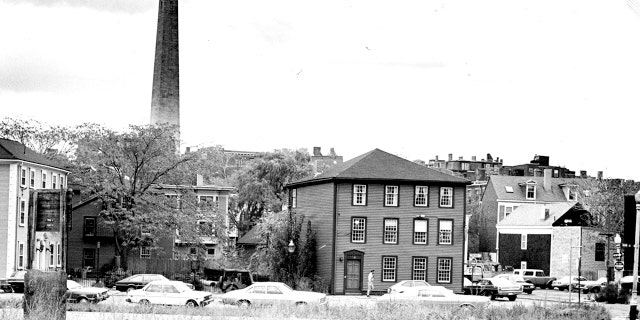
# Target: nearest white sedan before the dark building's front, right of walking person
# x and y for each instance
(433, 296)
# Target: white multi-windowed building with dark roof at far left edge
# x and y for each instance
(22, 171)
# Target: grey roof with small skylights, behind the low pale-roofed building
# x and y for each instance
(518, 184)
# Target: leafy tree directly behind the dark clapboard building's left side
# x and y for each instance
(261, 183)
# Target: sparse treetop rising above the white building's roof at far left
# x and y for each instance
(54, 142)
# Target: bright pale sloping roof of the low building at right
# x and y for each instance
(532, 215)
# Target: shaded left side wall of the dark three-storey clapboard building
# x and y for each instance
(316, 203)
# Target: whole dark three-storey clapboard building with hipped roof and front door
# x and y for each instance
(382, 212)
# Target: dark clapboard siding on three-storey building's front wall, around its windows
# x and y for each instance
(374, 249)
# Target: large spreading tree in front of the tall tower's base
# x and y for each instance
(128, 172)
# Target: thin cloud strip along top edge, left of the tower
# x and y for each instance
(128, 6)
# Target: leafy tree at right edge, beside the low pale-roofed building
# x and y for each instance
(604, 199)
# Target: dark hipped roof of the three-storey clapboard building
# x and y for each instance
(380, 165)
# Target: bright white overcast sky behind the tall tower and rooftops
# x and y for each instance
(414, 78)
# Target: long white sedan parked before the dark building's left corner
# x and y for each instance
(265, 293)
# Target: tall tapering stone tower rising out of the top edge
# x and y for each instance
(165, 95)
